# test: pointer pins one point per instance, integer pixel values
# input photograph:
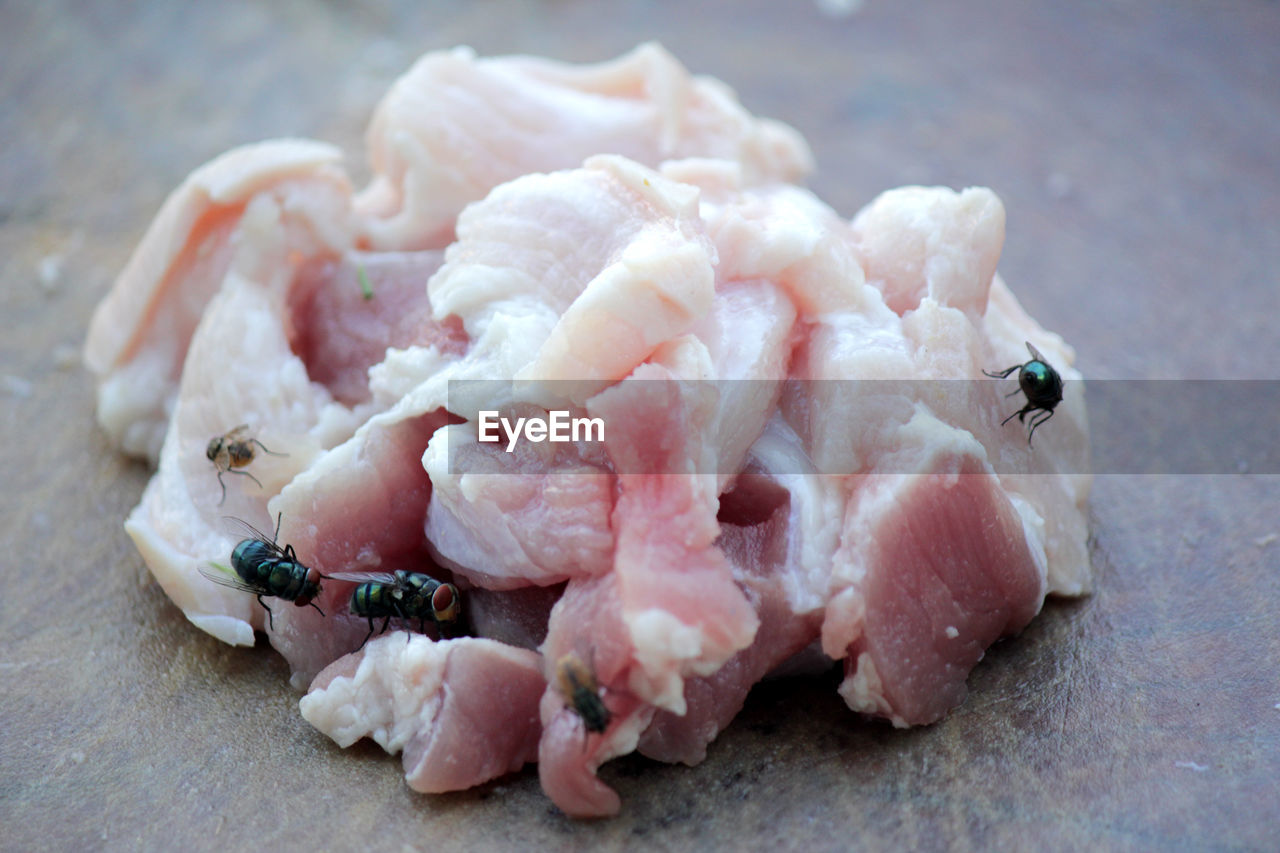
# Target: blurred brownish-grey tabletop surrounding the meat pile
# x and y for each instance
(1136, 145)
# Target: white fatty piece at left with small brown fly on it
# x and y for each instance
(180, 523)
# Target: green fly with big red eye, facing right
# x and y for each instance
(404, 595)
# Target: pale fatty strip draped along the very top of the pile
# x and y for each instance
(455, 127)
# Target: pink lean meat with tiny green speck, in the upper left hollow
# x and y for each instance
(346, 312)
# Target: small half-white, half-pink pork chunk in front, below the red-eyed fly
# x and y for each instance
(463, 711)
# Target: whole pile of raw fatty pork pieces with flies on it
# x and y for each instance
(633, 230)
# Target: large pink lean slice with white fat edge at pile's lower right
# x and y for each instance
(932, 569)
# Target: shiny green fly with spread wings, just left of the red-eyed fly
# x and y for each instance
(264, 568)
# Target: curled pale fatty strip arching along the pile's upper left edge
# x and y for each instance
(140, 334)
